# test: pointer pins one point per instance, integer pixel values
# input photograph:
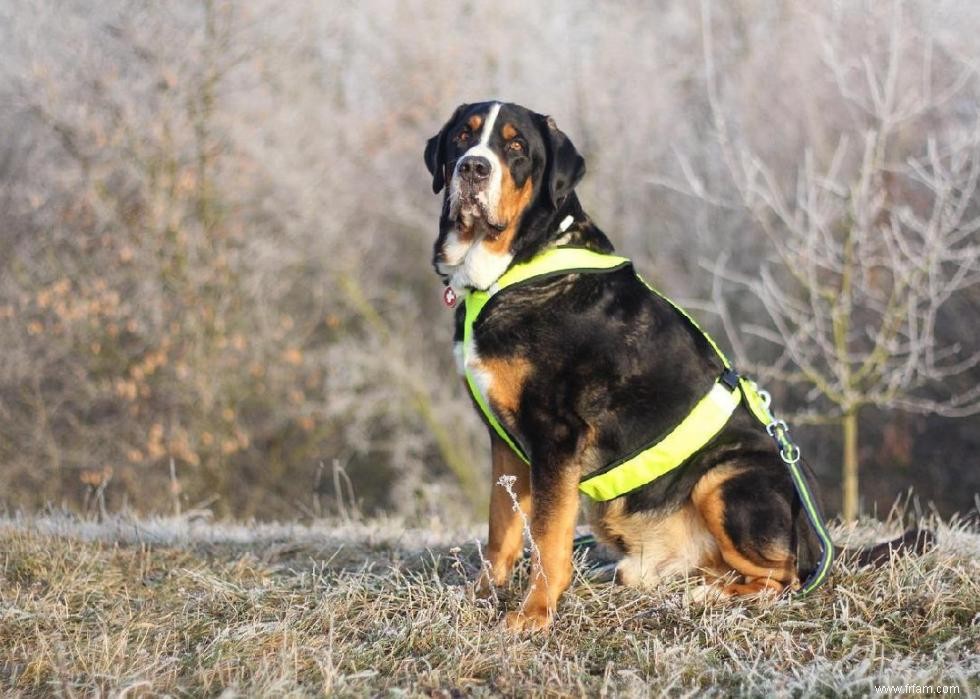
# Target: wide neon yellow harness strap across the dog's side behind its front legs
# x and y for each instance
(703, 422)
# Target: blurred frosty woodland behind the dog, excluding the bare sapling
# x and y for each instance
(216, 227)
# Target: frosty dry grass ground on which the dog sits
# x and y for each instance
(192, 607)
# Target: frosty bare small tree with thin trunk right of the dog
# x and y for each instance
(867, 248)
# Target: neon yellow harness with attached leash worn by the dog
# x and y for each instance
(706, 419)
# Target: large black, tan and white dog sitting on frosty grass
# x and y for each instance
(584, 368)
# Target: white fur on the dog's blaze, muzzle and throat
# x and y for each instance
(469, 263)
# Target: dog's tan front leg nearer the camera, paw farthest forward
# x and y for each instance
(555, 498)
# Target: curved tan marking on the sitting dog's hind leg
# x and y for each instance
(778, 567)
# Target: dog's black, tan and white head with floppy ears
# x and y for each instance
(508, 172)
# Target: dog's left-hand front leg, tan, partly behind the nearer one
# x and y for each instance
(506, 539)
